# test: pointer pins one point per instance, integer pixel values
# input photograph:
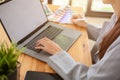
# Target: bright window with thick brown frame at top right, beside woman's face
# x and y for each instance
(98, 9)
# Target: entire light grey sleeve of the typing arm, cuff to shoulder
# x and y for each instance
(106, 69)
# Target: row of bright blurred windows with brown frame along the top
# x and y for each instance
(90, 7)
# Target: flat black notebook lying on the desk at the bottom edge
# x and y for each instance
(34, 75)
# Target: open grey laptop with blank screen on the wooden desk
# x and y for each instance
(25, 22)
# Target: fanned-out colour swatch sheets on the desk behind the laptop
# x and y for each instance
(62, 15)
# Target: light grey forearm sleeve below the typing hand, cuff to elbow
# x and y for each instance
(67, 68)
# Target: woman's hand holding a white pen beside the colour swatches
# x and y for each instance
(77, 19)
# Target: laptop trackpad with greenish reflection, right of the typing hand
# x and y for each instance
(64, 41)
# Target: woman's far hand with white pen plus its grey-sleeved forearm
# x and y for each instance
(93, 32)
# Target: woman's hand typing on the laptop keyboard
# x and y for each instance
(47, 45)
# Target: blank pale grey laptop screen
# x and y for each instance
(21, 17)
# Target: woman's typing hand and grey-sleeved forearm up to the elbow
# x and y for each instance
(61, 61)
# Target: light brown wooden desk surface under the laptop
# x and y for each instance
(80, 51)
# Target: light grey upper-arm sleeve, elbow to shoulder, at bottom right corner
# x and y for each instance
(108, 67)
